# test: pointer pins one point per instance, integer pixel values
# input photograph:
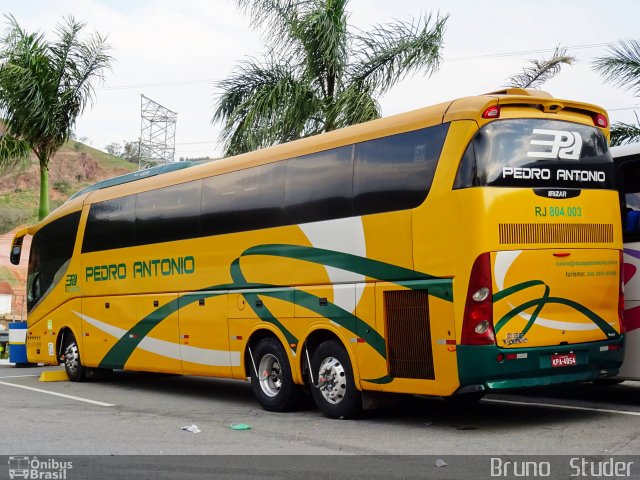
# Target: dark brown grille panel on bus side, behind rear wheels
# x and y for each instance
(409, 352)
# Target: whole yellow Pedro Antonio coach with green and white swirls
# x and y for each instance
(463, 248)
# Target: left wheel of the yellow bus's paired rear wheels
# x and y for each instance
(274, 389)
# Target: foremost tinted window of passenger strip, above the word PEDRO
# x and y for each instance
(110, 225)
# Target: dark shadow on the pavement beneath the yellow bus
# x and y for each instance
(411, 411)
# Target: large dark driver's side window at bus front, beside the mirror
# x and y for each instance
(51, 250)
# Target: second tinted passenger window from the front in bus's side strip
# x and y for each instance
(167, 214)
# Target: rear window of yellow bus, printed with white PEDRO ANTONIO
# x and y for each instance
(536, 153)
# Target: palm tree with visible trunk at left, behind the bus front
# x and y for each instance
(44, 86)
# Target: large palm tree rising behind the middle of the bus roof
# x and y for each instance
(317, 74)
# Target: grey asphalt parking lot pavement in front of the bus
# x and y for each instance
(143, 413)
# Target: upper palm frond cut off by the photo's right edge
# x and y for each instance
(621, 67)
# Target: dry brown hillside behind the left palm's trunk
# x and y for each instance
(74, 166)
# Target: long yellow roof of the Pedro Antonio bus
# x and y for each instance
(465, 108)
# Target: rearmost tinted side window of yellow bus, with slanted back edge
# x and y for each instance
(395, 173)
